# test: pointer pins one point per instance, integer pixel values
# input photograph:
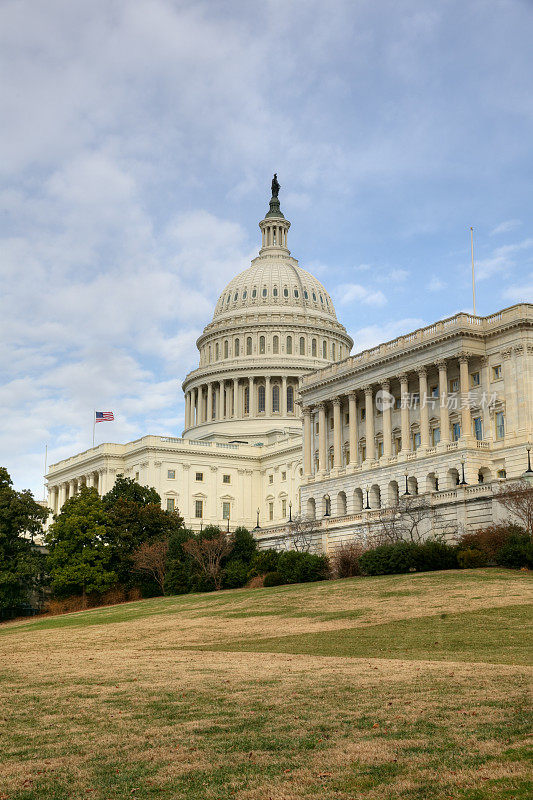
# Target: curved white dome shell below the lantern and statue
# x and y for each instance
(274, 282)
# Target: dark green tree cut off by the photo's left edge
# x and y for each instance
(20, 562)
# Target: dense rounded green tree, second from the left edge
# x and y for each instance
(80, 557)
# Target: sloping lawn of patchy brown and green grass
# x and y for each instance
(413, 686)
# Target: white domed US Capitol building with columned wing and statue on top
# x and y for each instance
(281, 422)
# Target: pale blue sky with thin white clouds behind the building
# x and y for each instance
(137, 144)
